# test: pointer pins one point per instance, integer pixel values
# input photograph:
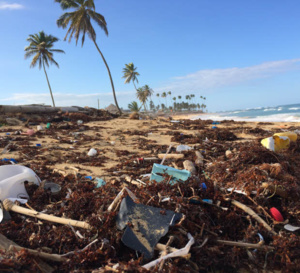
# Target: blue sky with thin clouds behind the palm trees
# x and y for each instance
(237, 54)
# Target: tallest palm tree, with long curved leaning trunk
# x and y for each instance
(80, 24)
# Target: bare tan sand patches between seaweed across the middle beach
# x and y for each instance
(114, 137)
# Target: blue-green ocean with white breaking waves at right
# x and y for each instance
(281, 113)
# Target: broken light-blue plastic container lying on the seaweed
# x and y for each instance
(177, 175)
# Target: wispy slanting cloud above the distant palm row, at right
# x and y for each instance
(215, 78)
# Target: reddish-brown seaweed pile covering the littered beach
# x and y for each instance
(223, 203)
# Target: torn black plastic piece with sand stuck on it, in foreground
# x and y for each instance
(147, 225)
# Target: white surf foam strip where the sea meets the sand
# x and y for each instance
(269, 118)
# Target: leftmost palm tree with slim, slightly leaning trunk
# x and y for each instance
(41, 46)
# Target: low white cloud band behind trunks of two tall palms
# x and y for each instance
(69, 99)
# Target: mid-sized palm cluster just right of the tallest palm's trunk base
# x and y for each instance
(143, 93)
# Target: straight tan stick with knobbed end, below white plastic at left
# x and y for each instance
(9, 205)
